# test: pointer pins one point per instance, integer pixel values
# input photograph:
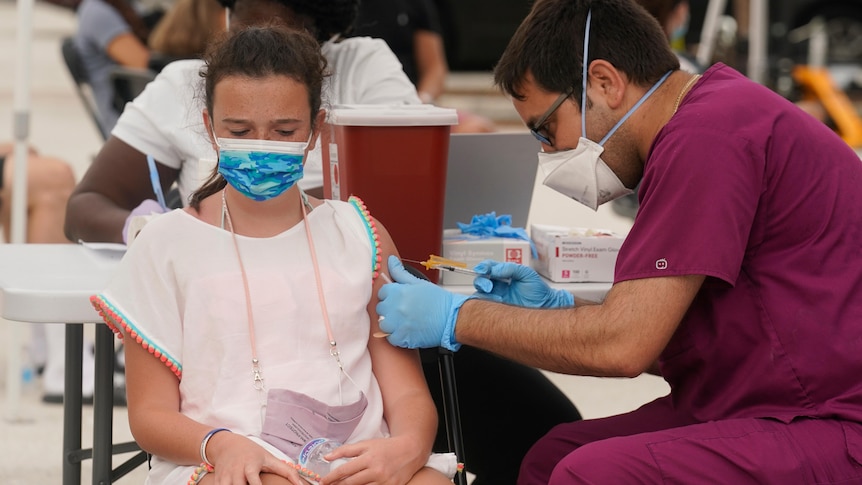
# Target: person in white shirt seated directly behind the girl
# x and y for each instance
(118, 185)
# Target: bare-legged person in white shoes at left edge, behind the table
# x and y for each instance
(50, 180)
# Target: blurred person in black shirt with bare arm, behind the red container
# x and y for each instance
(413, 31)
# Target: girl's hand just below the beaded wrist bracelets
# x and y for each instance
(240, 461)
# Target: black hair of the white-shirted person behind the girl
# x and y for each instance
(327, 18)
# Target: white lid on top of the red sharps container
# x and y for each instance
(394, 115)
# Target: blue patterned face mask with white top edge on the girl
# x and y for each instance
(260, 169)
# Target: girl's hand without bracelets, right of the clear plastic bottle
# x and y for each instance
(389, 461)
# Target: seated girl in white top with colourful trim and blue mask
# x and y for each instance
(308, 271)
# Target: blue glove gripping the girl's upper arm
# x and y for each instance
(417, 313)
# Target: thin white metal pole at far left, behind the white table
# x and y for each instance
(21, 132)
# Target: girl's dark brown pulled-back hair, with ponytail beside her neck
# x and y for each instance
(259, 52)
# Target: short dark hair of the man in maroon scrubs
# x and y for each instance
(549, 44)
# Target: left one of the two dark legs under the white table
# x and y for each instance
(72, 404)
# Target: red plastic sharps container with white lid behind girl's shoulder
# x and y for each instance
(394, 159)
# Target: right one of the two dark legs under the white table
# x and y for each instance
(103, 406)
